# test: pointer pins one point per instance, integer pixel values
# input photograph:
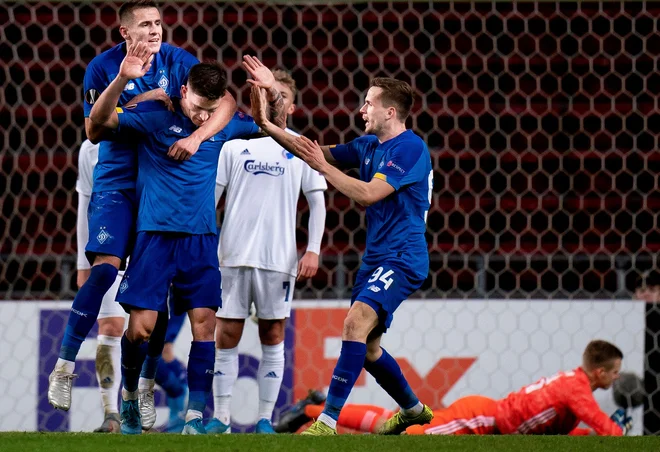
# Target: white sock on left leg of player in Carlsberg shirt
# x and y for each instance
(225, 375)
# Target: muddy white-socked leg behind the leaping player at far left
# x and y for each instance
(108, 370)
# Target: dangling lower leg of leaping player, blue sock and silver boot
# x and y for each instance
(82, 317)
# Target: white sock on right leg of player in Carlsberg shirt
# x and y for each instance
(269, 378)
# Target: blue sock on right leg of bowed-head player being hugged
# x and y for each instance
(200, 374)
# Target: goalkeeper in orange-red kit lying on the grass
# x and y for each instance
(551, 406)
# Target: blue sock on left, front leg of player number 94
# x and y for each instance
(348, 368)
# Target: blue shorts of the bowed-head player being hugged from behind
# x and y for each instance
(189, 263)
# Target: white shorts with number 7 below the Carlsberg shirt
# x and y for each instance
(271, 292)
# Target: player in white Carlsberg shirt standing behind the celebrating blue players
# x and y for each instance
(263, 184)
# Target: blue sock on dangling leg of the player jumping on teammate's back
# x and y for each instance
(85, 309)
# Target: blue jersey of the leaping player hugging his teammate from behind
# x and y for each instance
(116, 167)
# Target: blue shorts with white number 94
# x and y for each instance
(385, 287)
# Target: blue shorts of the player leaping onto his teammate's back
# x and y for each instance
(112, 216)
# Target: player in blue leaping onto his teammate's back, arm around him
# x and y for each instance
(112, 208)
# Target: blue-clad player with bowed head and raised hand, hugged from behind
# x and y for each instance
(176, 243)
